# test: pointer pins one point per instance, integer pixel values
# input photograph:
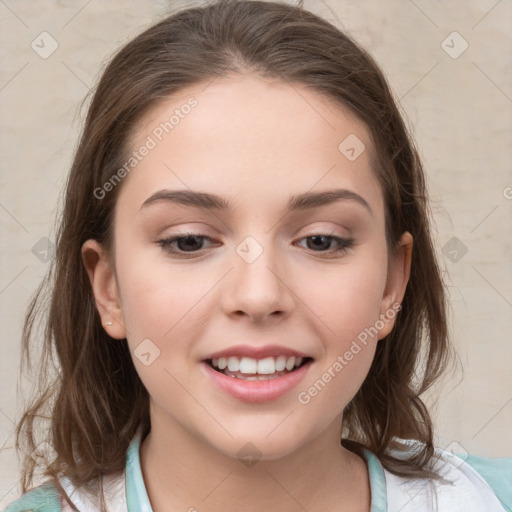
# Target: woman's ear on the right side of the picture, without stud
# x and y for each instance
(399, 270)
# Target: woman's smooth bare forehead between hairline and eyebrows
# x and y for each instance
(251, 138)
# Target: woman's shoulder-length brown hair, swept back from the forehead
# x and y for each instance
(96, 399)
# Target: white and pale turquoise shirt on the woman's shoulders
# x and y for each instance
(472, 484)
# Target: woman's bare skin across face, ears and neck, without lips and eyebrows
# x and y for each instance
(256, 142)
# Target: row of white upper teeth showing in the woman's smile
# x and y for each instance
(248, 365)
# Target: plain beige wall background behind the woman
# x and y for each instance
(459, 109)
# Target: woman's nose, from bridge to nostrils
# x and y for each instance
(258, 285)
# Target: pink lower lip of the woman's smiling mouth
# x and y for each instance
(257, 390)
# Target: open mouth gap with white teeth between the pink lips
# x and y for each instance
(268, 368)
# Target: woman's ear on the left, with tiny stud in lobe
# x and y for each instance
(104, 285)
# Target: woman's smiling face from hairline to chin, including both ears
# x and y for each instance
(259, 282)
